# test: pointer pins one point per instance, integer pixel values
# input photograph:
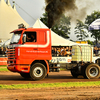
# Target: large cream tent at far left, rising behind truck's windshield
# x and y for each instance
(9, 20)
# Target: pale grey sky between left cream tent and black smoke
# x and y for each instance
(30, 10)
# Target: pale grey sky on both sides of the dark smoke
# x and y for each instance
(31, 10)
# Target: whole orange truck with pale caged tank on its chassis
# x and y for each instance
(29, 54)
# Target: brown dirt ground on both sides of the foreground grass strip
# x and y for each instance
(64, 93)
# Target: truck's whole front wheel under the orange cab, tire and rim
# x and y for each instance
(37, 71)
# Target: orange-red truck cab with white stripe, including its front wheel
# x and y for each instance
(29, 55)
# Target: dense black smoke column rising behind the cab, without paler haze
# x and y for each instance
(55, 8)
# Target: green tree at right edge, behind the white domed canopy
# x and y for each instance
(89, 19)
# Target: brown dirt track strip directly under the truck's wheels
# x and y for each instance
(62, 76)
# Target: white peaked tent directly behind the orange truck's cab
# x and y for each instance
(56, 39)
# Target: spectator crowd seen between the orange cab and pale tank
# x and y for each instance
(61, 51)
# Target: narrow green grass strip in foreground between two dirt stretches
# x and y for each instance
(68, 84)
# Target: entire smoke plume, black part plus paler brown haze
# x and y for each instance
(76, 9)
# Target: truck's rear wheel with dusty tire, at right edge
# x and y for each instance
(92, 71)
